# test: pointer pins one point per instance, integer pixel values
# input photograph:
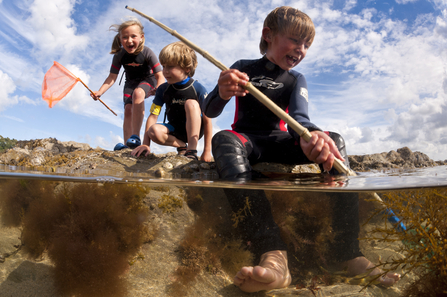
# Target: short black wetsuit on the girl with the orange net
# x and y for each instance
(139, 69)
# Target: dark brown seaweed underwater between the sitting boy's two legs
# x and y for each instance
(305, 228)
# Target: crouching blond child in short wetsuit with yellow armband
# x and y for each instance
(182, 94)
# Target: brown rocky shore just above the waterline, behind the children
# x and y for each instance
(52, 155)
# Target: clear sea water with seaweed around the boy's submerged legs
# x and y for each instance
(135, 235)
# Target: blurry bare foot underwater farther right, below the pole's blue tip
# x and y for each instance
(361, 265)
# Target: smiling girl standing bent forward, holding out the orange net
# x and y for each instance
(143, 76)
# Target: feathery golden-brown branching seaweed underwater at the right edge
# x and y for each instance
(424, 242)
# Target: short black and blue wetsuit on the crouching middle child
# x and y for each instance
(175, 96)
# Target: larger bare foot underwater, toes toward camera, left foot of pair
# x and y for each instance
(271, 273)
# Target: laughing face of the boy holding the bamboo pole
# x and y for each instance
(284, 49)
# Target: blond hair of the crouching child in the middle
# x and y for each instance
(180, 54)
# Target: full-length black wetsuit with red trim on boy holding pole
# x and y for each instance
(258, 135)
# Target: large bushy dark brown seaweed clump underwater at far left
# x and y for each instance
(90, 232)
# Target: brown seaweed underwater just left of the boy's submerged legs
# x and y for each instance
(210, 245)
